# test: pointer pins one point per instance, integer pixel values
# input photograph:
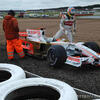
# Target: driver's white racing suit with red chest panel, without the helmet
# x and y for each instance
(66, 26)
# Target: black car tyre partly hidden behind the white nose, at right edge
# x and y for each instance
(93, 45)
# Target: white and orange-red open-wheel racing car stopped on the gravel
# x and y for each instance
(59, 52)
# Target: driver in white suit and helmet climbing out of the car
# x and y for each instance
(67, 24)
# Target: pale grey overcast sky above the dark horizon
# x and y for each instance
(43, 4)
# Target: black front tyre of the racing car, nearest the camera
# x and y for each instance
(56, 55)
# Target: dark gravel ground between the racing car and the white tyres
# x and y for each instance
(86, 78)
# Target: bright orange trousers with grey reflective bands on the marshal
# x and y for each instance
(14, 44)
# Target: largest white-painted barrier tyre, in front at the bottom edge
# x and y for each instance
(38, 88)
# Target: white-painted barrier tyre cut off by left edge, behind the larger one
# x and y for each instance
(9, 73)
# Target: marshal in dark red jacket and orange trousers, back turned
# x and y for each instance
(10, 27)
